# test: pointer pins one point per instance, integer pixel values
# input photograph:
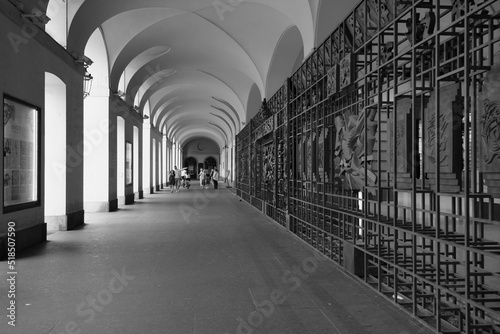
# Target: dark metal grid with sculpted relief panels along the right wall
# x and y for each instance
(387, 144)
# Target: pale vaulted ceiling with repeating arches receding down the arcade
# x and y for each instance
(199, 68)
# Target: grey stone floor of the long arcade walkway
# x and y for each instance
(198, 261)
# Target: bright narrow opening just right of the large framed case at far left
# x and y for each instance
(56, 166)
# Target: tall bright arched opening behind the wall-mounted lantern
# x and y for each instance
(96, 122)
